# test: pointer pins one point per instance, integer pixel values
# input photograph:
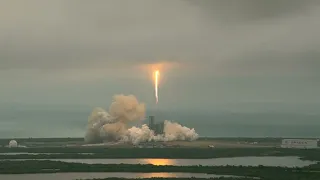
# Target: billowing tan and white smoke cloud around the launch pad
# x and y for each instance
(111, 126)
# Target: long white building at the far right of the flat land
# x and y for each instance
(299, 143)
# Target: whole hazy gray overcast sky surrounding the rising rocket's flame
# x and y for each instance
(224, 51)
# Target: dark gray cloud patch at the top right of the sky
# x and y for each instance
(234, 11)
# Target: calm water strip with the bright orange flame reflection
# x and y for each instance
(289, 161)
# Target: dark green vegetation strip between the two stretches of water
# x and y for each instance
(271, 173)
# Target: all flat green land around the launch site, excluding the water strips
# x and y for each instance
(204, 148)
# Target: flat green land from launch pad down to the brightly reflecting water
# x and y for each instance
(65, 148)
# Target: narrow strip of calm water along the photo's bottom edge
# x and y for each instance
(72, 176)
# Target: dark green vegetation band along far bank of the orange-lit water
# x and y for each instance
(171, 153)
